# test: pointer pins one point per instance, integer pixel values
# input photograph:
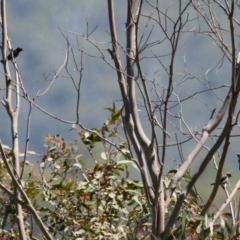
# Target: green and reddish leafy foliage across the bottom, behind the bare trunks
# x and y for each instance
(101, 202)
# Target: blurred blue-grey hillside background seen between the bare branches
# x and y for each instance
(35, 26)
